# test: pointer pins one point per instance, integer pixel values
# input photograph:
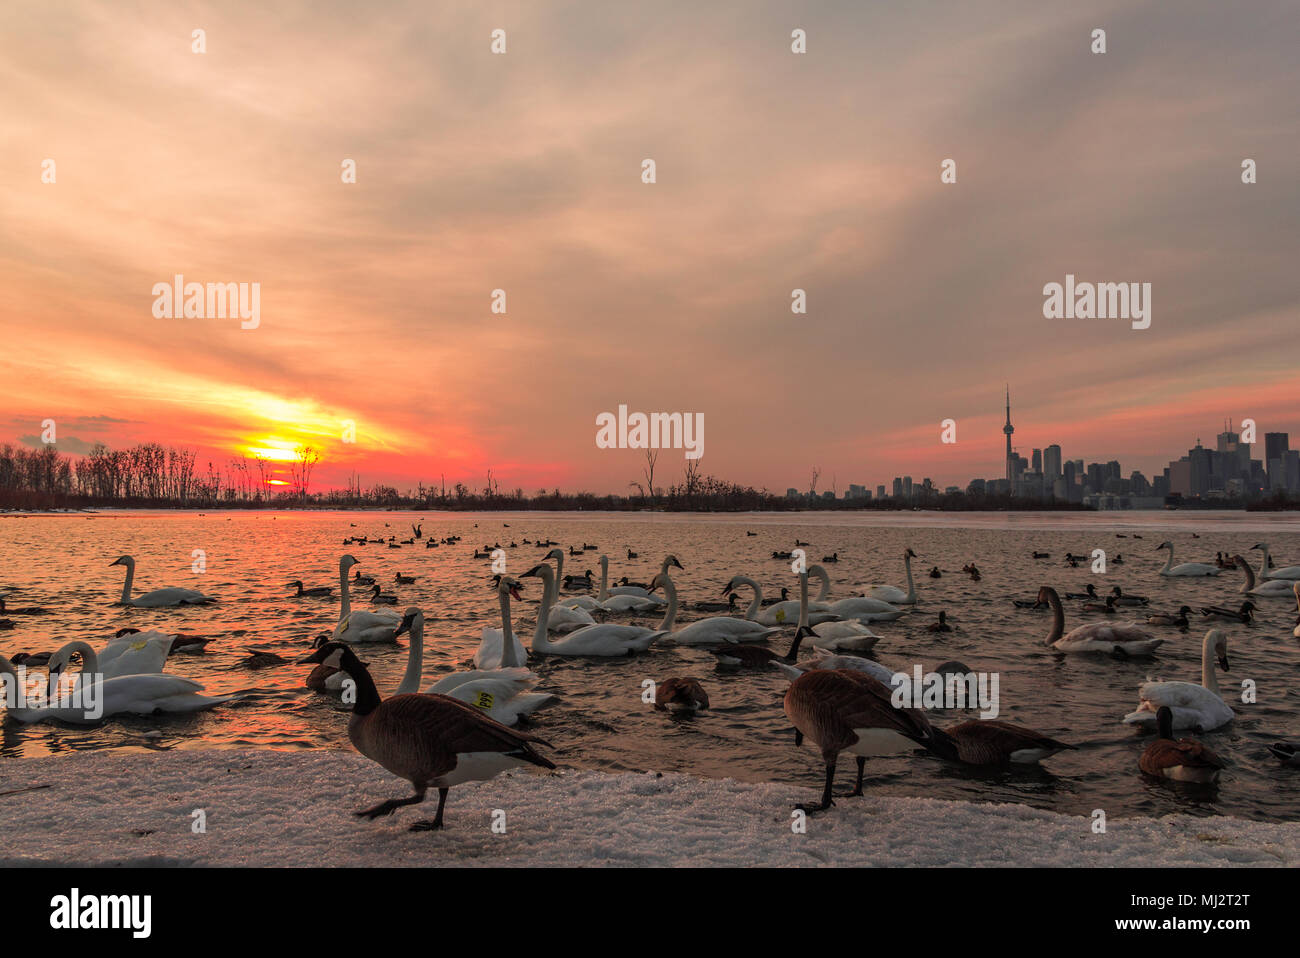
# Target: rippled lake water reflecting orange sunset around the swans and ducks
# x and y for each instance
(63, 563)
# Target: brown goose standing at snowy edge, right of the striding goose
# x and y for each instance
(840, 710)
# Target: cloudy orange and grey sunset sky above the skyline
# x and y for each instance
(523, 172)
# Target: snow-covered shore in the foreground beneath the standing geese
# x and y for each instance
(294, 809)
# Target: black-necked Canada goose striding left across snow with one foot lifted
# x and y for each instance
(432, 742)
